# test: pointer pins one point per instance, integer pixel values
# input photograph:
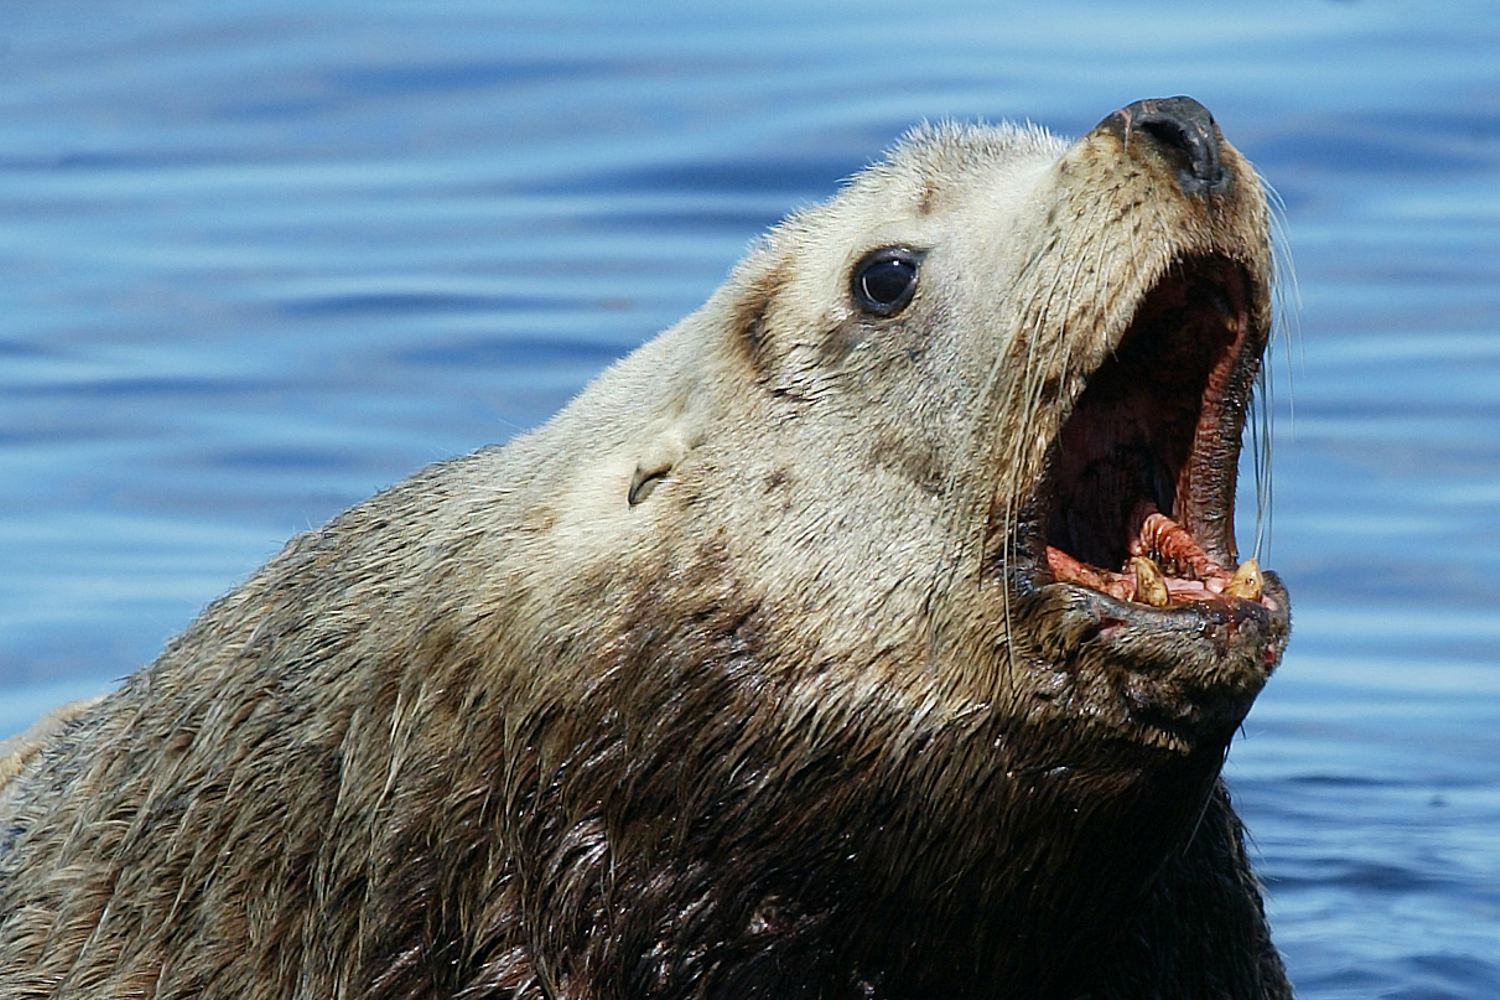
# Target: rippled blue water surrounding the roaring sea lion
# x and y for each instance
(259, 262)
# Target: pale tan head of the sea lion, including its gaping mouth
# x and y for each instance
(968, 436)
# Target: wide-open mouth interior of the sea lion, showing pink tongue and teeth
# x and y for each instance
(1139, 500)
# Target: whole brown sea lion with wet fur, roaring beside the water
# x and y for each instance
(875, 632)
